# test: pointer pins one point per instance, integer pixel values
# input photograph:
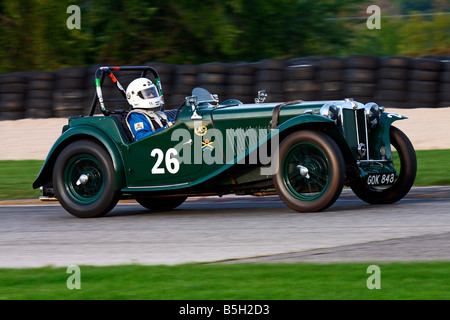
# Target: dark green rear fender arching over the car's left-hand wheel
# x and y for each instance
(75, 133)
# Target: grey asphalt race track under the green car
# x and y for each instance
(230, 230)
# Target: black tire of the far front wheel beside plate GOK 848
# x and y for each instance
(405, 180)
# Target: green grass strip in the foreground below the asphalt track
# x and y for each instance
(288, 281)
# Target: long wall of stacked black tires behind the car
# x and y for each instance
(395, 82)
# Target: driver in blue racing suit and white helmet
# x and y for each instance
(142, 121)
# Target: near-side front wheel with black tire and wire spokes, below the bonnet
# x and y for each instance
(321, 184)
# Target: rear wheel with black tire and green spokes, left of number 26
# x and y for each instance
(93, 198)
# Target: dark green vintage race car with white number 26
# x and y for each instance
(304, 151)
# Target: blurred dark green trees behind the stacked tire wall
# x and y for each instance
(34, 35)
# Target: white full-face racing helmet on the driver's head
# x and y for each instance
(143, 94)
